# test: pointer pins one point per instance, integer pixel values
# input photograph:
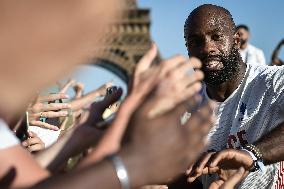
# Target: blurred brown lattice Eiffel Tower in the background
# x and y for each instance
(129, 42)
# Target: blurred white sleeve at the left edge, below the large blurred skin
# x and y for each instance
(7, 137)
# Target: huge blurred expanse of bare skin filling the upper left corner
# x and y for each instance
(41, 41)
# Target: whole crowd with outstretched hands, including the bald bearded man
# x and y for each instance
(216, 116)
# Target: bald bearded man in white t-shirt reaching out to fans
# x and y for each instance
(249, 105)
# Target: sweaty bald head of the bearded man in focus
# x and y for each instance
(210, 35)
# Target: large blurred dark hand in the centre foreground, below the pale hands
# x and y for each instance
(156, 139)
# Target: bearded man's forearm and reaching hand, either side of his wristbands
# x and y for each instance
(271, 146)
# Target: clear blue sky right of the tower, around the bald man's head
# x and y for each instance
(265, 19)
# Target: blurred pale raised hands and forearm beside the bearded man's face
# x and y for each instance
(169, 82)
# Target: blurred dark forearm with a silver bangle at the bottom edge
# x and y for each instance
(101, 175)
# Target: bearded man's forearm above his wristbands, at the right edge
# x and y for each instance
(272, 145)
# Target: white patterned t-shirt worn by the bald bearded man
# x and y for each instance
(254, 109)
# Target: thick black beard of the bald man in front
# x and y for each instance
(230, 70)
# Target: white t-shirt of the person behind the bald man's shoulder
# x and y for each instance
(253, 55)
